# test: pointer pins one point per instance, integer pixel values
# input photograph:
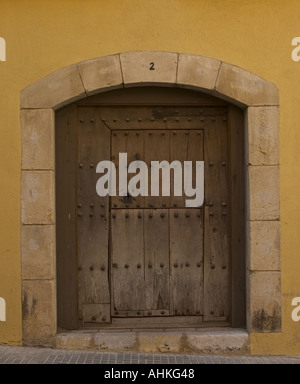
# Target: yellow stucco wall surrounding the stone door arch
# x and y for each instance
(44, 36)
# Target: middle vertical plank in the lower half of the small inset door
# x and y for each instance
(156, 232)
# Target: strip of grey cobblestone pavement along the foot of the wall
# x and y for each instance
(29, 355)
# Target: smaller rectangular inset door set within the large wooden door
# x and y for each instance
(156, 243)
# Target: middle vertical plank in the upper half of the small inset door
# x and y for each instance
(157, 148)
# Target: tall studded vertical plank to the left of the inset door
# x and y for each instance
(93, 212)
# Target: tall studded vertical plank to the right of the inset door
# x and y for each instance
(217, 223)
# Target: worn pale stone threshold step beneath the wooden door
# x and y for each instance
(202, 341)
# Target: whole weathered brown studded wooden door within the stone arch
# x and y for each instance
(152, 258)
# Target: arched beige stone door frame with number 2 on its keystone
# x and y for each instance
(39, 101)
